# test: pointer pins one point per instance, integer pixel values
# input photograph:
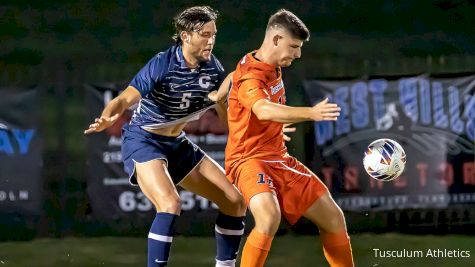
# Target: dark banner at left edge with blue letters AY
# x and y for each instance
(20, 154)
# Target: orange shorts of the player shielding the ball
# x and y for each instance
(296, 187)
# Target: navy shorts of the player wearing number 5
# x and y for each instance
(138, 146)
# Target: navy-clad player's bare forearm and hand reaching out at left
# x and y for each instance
(114, 110)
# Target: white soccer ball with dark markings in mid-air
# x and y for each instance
(384, 159)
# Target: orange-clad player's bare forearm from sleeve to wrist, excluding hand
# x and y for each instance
(281, 113)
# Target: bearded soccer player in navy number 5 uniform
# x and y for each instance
(172, 89)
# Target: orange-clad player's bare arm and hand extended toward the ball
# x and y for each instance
(323, 111)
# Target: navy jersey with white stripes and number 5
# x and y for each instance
(172, 93)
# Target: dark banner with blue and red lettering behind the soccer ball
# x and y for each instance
(433, 118)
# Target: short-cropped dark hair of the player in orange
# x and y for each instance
(289, 21)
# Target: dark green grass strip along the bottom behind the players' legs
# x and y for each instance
(288, 250)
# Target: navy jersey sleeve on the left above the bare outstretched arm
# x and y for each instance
(149, 75)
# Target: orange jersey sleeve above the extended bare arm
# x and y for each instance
(250, 91)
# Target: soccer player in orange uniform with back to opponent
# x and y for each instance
(271, 181)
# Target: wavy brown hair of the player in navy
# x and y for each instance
(193, 19)
